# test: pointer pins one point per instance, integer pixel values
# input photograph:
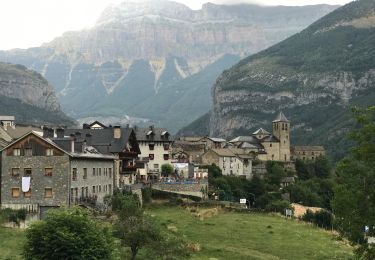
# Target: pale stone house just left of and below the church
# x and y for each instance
(235, 162)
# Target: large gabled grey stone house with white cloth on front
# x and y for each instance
(38, 173)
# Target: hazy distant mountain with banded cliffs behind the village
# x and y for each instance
(157, 60)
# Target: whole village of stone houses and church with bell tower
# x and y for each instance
(45, 167)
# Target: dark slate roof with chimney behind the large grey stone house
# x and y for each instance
(102, 139)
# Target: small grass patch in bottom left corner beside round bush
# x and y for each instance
(11, 242)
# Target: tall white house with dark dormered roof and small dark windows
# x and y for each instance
(155, 145)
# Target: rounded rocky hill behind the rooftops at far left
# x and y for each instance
(26, 95)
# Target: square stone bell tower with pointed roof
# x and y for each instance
(281, 130)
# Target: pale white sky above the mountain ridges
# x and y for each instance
(29, 23)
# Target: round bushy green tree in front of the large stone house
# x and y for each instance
(68, 234)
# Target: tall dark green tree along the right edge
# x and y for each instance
(354, 197)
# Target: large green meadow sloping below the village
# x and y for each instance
(253, 236)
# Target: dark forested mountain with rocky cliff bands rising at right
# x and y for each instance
(314, 77)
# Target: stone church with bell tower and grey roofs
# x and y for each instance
(267, 146)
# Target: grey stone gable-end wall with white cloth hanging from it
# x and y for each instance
(59, 181)
